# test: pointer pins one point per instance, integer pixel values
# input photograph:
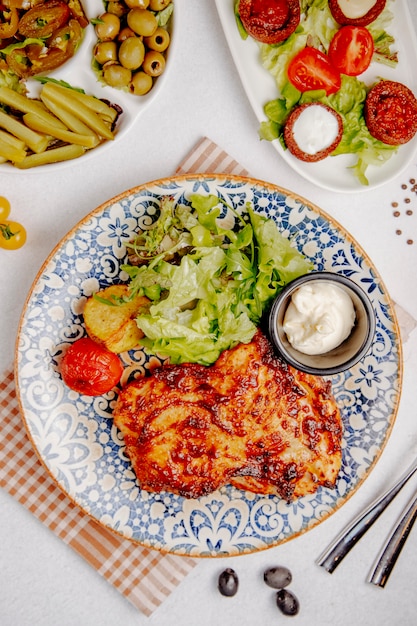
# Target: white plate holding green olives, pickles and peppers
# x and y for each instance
(78, 72)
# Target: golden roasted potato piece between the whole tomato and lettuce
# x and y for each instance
(114, 326)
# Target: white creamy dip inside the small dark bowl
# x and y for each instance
(319, 318)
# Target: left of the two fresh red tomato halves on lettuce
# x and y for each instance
(311, 69)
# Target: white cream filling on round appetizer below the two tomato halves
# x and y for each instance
(315, 129)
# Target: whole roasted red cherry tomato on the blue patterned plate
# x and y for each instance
(89, 368)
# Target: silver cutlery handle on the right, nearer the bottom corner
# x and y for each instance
(393, 546)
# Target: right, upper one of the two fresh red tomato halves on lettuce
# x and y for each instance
(351, 50)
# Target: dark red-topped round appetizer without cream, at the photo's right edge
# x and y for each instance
(391, 112)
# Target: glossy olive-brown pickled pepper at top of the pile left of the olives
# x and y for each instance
(42, 20)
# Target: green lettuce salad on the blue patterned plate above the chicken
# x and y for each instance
(210, 274)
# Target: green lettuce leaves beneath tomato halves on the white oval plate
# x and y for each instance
(317, 28)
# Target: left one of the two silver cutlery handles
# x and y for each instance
(350, 535)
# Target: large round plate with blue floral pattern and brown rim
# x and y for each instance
(74, 435)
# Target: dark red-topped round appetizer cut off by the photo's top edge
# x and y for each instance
(269, 21)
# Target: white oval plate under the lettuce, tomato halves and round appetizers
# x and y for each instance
(332, 173)
